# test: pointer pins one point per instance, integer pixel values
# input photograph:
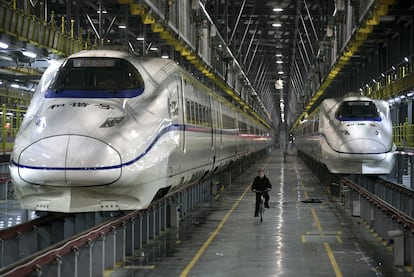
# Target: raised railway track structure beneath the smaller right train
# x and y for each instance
(386, 208)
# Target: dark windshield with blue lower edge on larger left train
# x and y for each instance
(96, 78)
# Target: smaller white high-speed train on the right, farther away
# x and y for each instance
(350, 135)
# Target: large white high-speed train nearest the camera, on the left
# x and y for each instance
(106, 130)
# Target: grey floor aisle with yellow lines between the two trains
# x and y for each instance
(297, 237)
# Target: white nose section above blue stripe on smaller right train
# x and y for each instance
(362, 146)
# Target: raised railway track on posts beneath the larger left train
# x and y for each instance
(87, 244)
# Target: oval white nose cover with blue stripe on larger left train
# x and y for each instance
(83, 160)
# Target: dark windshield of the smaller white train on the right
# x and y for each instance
(357, 111)
